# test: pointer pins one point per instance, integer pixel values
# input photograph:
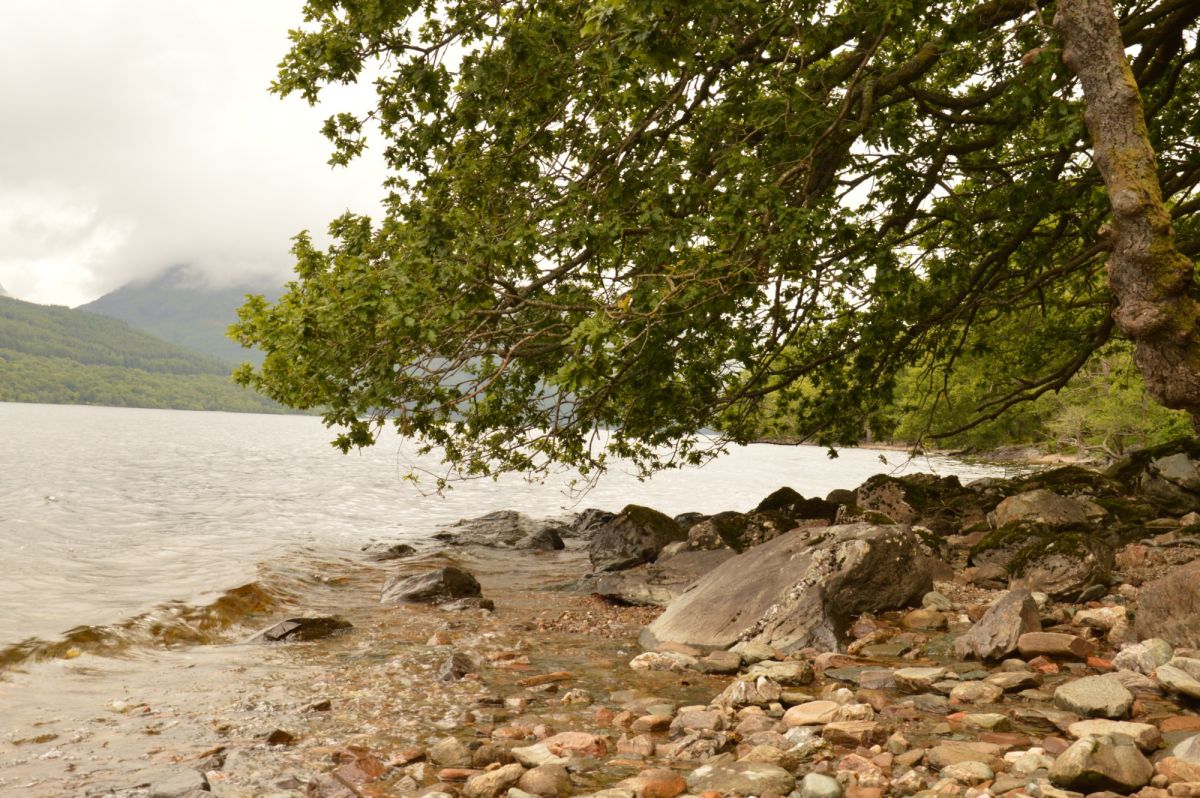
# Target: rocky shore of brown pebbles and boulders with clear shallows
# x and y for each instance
(915, 637)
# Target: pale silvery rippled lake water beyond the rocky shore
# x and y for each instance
(129, 525)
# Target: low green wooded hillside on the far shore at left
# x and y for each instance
(57, 356)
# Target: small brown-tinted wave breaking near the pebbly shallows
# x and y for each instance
(177, 623)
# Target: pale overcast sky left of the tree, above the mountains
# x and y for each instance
(139, 135)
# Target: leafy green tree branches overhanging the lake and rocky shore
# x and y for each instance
(614, 225)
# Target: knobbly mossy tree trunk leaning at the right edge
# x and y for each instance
(1159, 302)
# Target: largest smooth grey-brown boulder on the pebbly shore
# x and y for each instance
(803, 589)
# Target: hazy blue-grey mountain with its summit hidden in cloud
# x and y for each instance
(179, 307)
